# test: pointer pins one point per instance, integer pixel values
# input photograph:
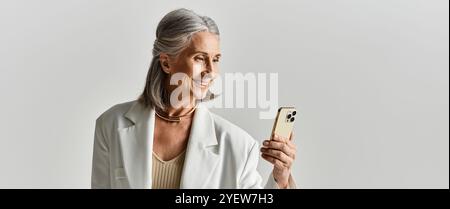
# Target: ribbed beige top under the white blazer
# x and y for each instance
(167, 174)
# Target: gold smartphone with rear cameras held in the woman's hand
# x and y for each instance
(284, 122)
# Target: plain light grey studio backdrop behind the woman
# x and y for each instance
(370, 79)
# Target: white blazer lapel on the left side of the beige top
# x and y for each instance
(137, 145)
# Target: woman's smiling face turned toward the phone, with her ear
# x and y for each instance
(199, 63)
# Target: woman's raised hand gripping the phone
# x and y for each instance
(281, 153)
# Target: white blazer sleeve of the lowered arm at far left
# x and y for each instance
(100, 178)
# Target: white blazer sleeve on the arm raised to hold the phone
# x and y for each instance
(250, 177)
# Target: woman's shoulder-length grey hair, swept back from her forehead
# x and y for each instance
(173, 34)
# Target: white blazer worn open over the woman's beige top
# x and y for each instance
(219, 154)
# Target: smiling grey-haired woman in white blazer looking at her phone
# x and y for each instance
(161, 141)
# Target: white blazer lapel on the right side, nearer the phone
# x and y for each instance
(202, 151)
